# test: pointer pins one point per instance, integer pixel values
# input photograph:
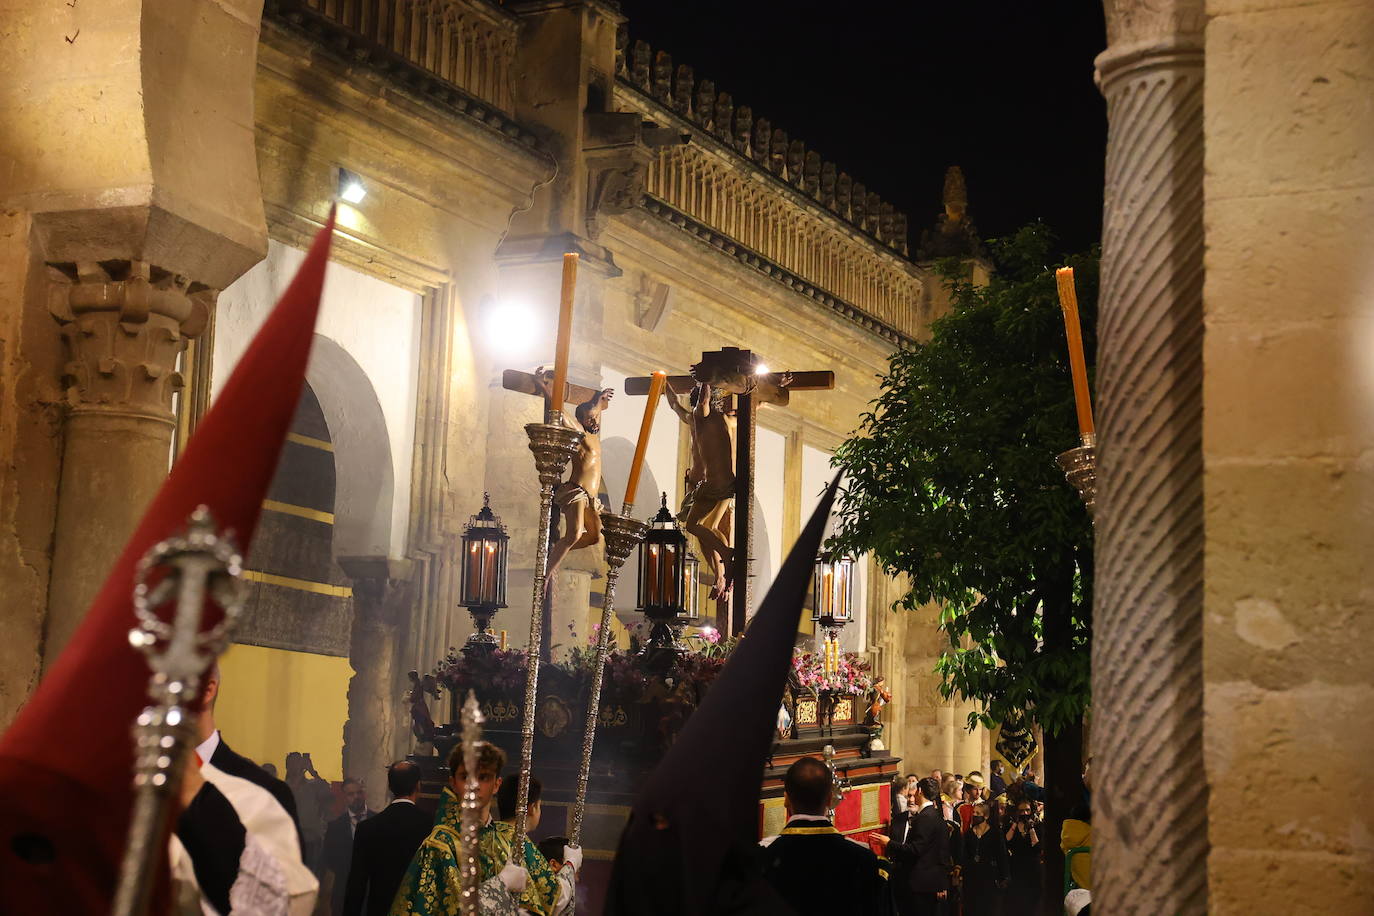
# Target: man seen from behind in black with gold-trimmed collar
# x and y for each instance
(810, 847)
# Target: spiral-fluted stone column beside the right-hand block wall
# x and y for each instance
(1149, 814)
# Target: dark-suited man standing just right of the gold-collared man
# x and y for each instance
(919, 847)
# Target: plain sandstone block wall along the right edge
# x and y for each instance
(1288, 437)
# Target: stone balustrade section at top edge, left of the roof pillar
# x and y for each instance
(468, 43)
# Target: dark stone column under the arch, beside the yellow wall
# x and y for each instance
(376, 707)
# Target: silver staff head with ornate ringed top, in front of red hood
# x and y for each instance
(200, 565)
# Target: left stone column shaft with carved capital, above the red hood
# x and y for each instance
(124, 326)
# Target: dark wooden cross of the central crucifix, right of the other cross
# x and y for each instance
(770, 388)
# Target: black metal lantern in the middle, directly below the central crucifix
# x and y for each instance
(667, 582)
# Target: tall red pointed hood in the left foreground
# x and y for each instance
(67, 762)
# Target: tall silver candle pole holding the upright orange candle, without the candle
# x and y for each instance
(553, 447)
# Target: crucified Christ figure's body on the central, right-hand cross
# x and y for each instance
(711, 512)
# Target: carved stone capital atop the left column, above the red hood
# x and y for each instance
(124, 325)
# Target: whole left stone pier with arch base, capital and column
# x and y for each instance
(131, 183)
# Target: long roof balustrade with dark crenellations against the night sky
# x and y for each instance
(766, 200)
